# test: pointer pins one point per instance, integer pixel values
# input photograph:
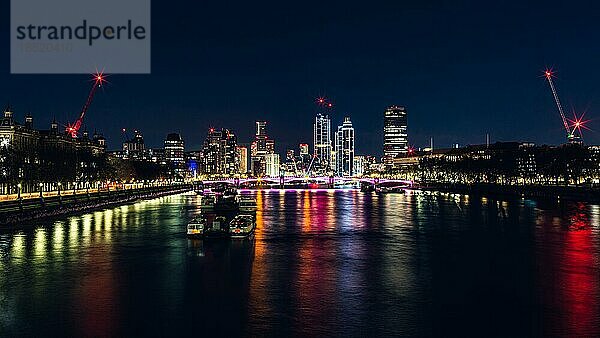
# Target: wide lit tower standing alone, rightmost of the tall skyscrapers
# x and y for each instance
(395, 136)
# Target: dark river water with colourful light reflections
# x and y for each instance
(322, 263)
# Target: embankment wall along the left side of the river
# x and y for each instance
(17, 211)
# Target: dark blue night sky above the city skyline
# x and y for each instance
(462, 69)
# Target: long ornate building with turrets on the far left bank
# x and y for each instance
(45, 156)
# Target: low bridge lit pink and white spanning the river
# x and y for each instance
(327, 180)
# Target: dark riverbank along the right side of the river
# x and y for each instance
(582, 194)
